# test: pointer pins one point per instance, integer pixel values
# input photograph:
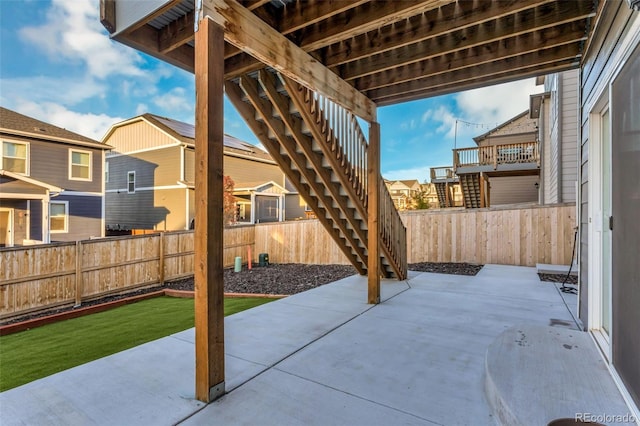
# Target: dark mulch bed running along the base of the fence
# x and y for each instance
(281, 279)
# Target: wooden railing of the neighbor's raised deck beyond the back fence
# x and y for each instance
(495, 155)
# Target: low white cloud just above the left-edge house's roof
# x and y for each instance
(91, 125)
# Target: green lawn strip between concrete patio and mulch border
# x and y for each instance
(42, 351)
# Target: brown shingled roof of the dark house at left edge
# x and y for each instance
(16, 124)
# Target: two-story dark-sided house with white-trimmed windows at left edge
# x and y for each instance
(51, 183)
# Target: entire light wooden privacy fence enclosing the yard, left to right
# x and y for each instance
(46, 276)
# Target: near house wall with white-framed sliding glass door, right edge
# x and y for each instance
(609, 195)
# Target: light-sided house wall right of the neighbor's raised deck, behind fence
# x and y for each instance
(557, 113)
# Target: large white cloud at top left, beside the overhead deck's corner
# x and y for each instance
(73, 32)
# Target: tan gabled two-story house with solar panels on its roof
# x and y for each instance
(151, 176)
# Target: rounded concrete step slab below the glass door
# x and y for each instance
(536, 374)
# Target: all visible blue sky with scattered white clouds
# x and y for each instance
(57, 64)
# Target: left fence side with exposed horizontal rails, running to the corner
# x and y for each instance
(46, 276)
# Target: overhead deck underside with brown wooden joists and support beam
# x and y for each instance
(387, 50)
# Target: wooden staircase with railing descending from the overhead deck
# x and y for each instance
(322, 150)
